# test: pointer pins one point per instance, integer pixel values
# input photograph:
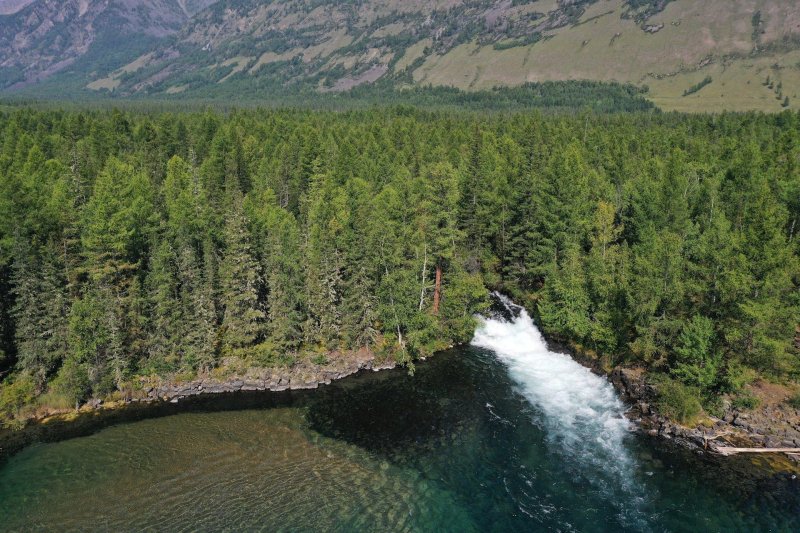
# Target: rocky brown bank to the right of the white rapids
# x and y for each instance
(772, 424)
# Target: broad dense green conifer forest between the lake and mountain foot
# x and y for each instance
(136, 244)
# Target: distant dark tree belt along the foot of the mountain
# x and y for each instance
(561, 96)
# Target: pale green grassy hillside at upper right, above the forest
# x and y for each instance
(685, 43)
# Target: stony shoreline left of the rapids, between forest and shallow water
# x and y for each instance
(162, 396)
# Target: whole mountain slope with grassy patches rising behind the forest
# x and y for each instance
(708, 55)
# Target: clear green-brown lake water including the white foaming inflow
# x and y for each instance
(503, 435)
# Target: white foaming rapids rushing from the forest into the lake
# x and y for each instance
(581, 413)
